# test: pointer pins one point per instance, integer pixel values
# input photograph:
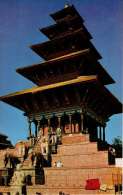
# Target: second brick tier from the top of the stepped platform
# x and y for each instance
(77, 148)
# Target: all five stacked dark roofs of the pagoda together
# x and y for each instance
(71, 74)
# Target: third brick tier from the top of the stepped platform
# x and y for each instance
(80, 160)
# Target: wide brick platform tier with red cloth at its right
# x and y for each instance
(61, 177)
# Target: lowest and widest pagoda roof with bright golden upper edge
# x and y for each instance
(84, 90)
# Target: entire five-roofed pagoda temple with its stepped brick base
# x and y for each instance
(70, 107)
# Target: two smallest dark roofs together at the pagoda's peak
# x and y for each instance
(68, 20)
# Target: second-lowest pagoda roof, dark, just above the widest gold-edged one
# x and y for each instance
(80, 63)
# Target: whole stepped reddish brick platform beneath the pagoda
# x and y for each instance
(80, 161)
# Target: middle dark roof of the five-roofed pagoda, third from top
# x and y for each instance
(69, 42)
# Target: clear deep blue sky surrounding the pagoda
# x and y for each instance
(20, 21)
